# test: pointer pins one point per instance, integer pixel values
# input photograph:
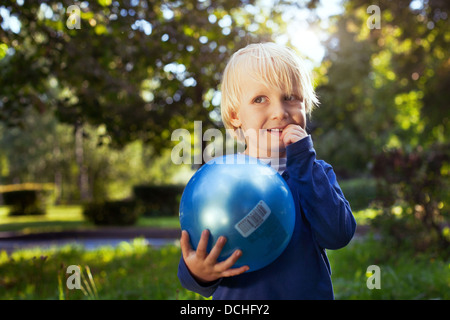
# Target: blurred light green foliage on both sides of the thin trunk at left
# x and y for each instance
(50, 145)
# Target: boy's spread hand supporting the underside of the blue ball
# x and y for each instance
(203, 266)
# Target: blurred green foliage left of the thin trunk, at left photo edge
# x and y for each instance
(41, 151)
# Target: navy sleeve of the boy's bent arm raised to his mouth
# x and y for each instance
(321, 198)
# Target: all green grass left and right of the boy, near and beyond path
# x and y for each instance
(138, 271)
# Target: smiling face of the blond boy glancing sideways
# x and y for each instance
(266, 115)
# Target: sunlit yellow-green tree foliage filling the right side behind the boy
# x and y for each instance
(385, 111)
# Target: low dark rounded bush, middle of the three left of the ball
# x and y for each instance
(123, 212)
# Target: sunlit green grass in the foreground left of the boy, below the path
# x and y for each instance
(129, 271)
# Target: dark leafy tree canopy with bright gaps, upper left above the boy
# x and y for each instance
(132, 66)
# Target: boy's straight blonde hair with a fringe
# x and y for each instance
(272, 65)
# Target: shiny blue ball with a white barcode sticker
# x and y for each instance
(246, 201)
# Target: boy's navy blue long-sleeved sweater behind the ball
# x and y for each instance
(323, 221)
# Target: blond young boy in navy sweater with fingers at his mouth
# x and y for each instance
(266, 90)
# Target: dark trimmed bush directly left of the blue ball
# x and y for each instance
(159, 200)
